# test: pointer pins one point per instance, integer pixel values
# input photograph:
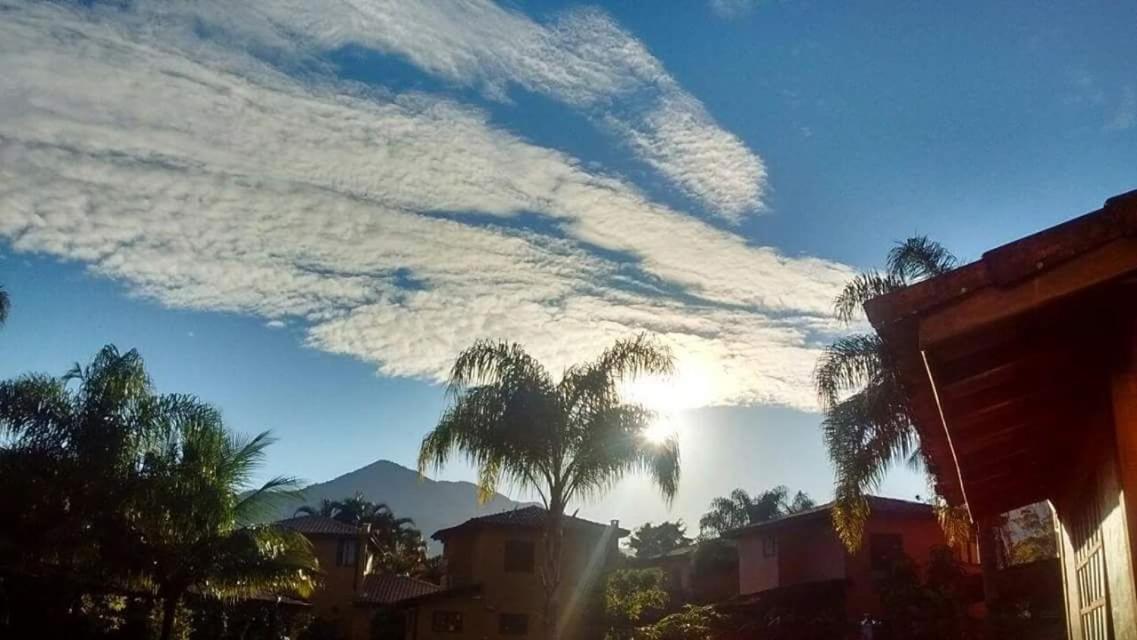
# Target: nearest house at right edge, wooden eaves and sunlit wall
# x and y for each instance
(1022, 372)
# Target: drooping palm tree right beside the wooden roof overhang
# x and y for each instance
(868, 427)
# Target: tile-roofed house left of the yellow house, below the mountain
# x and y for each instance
(351, 588)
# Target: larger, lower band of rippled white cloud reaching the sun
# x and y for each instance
(118, 153)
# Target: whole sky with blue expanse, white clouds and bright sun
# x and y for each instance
(302, 211)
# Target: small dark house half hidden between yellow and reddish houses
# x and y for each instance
(698, 573)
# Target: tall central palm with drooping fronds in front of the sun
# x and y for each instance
(563, 440)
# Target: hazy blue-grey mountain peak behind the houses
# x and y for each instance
(433, 504)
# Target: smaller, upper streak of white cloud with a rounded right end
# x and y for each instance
(582, 59)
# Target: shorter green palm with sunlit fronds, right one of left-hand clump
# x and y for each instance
(198, 518)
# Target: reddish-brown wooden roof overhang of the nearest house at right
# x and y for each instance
(1005, 359)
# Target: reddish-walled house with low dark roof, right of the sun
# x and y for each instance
(801, 554)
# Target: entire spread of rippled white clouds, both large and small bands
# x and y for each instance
(209, 179)
